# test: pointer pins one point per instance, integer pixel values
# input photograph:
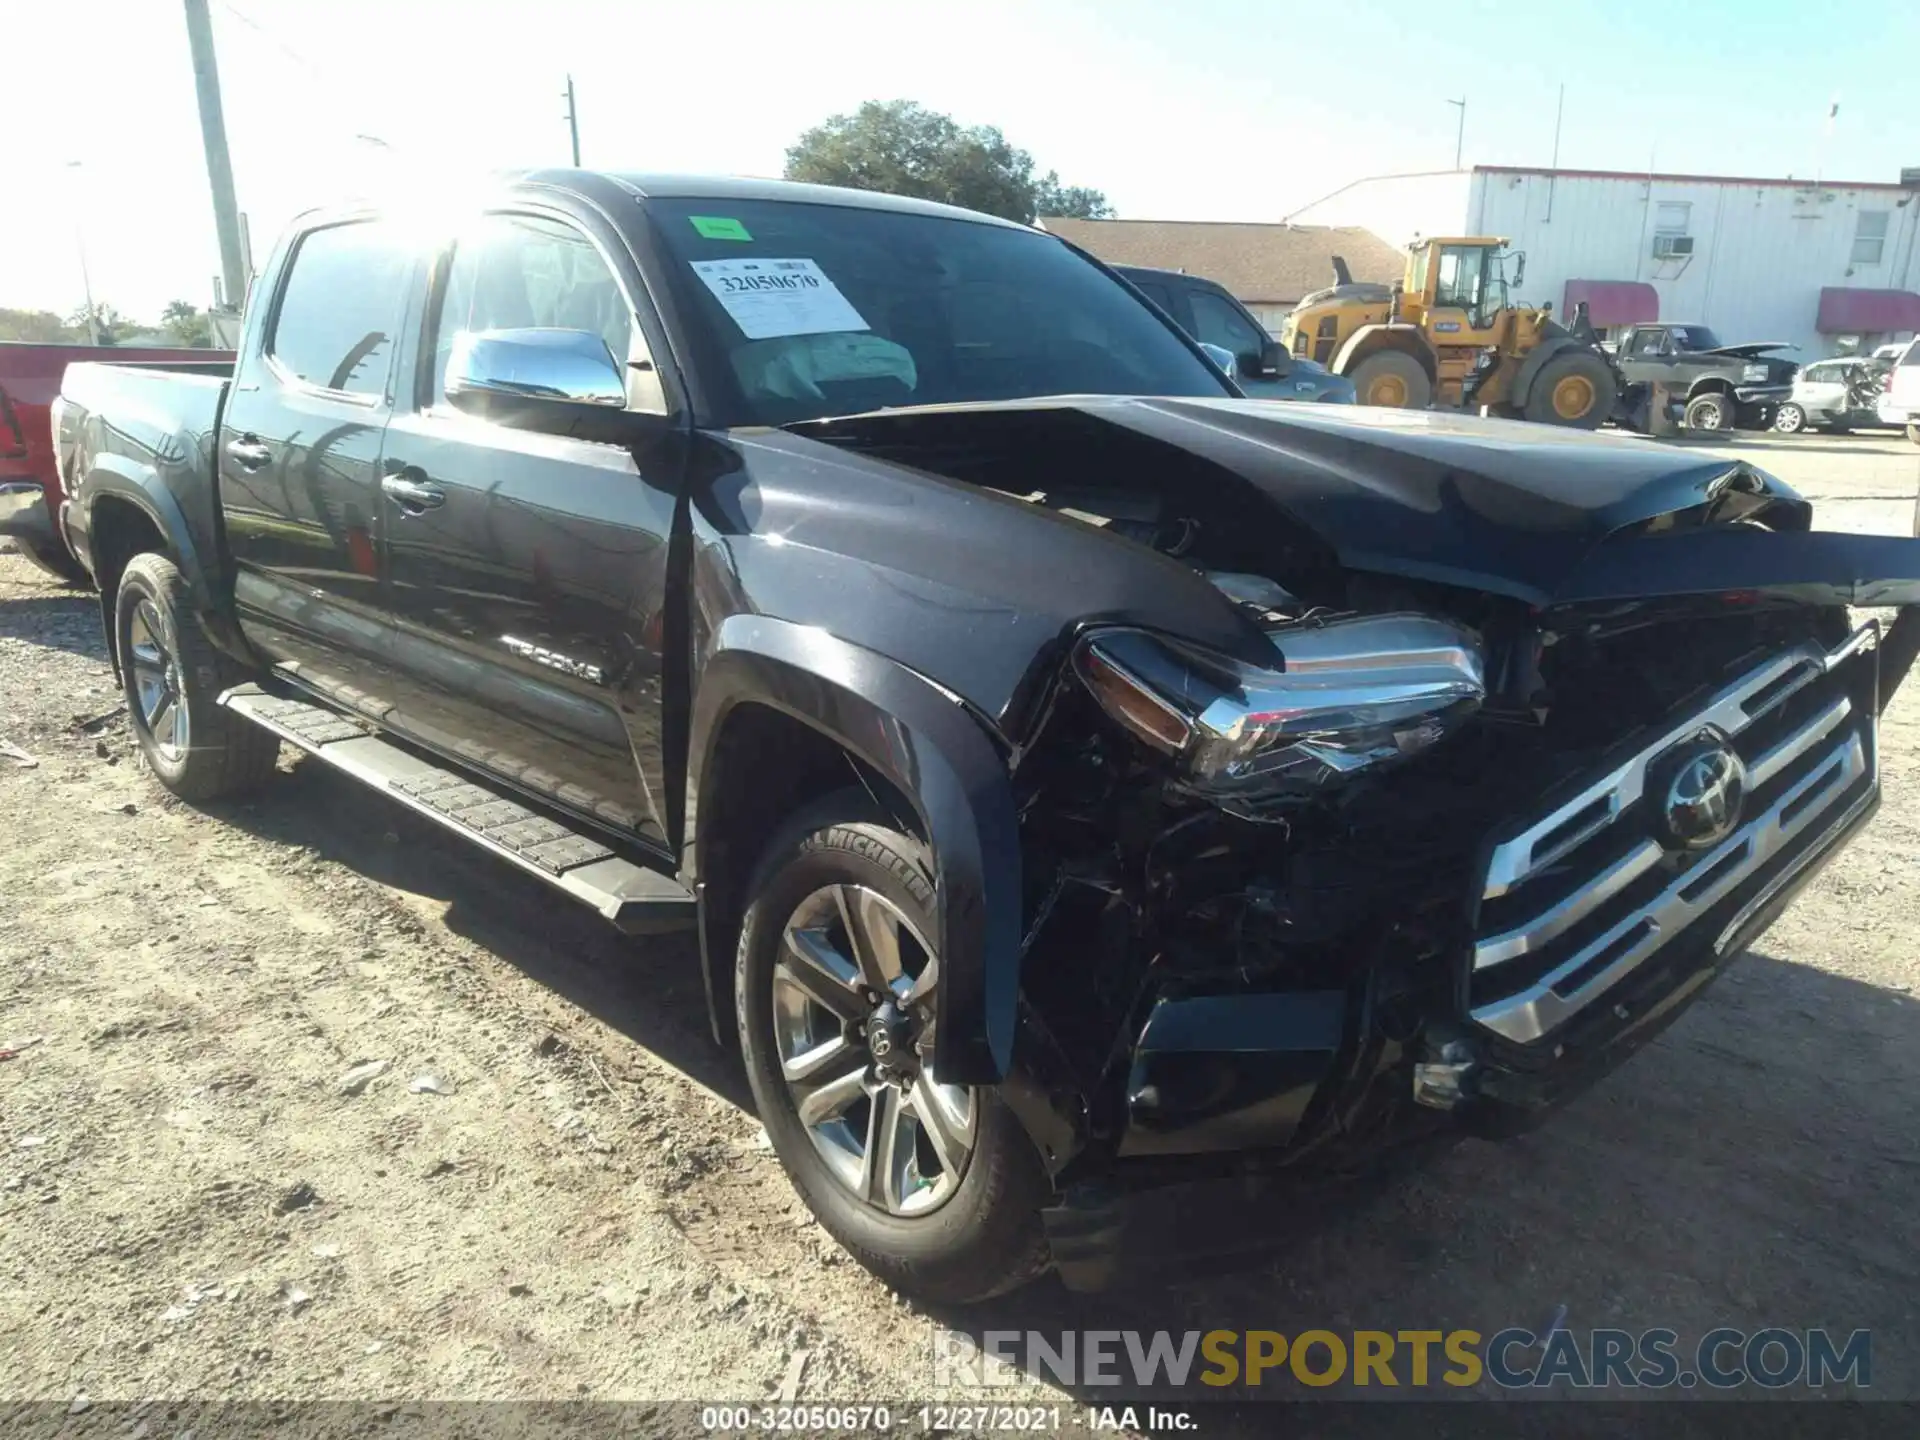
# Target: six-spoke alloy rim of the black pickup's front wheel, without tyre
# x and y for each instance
(853, 1019)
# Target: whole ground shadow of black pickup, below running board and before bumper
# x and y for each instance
(1750, 1168)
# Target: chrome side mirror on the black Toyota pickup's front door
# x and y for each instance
(560, 381)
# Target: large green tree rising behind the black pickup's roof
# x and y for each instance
(903, 149)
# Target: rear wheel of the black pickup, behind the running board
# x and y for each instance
(174, 679)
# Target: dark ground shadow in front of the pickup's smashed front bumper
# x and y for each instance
(1752, 1168)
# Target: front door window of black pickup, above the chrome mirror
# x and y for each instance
(527, 272)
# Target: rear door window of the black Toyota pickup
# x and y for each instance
(341, 308)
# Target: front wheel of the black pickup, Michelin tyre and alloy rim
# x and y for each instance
(932, 1188)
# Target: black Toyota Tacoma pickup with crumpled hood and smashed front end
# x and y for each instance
(1080, 777)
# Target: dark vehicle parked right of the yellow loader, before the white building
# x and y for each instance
(1721, 387)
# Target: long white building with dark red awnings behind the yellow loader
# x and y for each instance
(1823, 266)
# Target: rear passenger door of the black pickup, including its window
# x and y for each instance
(299, 454)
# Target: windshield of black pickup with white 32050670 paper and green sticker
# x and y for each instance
(807, 312)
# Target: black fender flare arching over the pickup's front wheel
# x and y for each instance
(926, 744)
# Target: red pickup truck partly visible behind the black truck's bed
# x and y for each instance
(30, 481)
